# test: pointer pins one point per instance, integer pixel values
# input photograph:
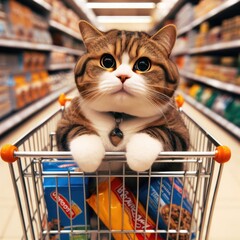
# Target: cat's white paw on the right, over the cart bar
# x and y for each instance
(142, 150)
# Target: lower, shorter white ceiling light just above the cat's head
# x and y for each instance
(124, 19)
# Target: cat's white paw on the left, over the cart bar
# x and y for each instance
(88, 151)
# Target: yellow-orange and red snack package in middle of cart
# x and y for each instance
(118, 209)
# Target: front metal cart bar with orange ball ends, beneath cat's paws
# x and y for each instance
(9, 153)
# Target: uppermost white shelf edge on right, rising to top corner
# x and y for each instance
(214, 12)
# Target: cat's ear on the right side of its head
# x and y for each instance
(166, 36)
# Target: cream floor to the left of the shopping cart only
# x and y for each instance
(10, 228)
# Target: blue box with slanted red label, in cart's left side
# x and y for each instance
(65, 198)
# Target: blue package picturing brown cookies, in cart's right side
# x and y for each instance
(173, 203)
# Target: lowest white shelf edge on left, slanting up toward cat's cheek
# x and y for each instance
(21, 115)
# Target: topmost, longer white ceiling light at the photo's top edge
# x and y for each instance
(121, 5)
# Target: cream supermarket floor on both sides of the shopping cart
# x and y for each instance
(225, 224)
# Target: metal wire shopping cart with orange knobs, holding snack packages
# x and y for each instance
(198, 185)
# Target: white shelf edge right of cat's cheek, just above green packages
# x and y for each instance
(211, 82)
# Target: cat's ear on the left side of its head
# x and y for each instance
(88, 32)
